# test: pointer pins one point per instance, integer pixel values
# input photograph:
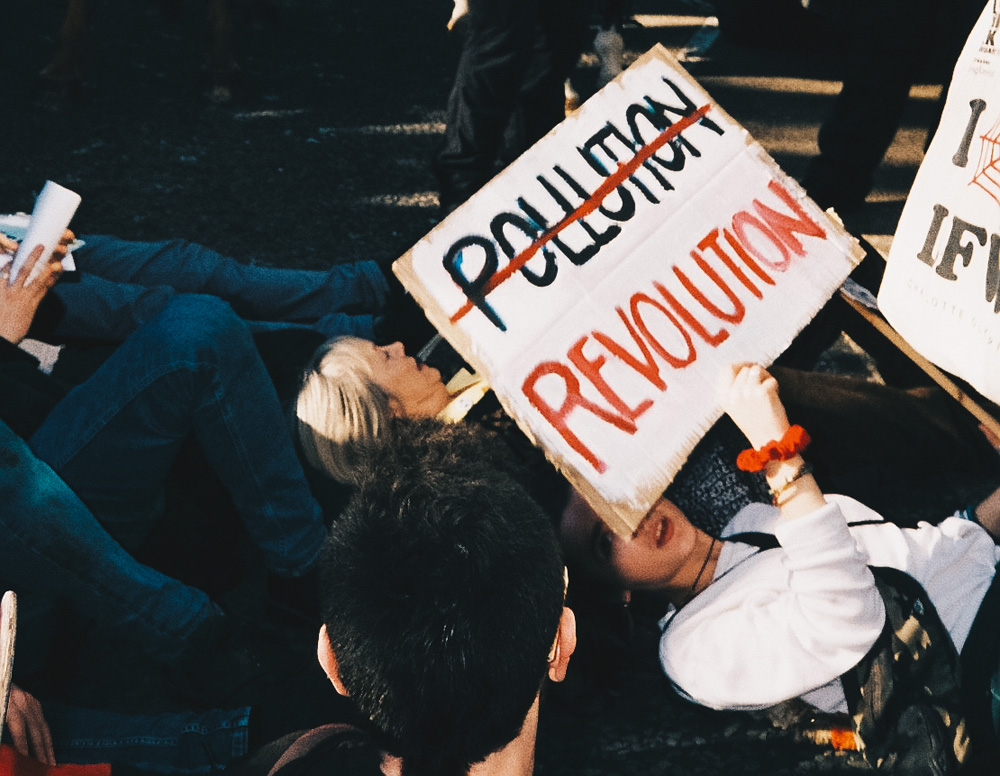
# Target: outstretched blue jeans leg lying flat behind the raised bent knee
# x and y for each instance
(121, 282)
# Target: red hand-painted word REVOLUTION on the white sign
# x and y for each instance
(667, 323)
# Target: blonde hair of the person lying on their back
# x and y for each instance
(340, 407)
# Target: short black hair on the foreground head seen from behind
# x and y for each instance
(441, 591)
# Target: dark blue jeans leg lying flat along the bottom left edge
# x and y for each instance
(184, 742)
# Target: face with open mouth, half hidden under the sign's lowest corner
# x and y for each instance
(650, 560)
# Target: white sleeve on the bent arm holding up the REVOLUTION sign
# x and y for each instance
(780, 623)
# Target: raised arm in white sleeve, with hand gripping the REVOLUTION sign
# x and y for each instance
(783, 623)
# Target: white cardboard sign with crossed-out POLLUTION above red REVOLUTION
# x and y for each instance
(602, 281)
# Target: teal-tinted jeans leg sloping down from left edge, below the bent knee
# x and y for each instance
(53, 547)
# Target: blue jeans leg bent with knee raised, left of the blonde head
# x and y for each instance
(192, 369)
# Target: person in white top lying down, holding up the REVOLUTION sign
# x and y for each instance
(748, 629)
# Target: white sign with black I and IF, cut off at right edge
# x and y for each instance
(941, 289)
